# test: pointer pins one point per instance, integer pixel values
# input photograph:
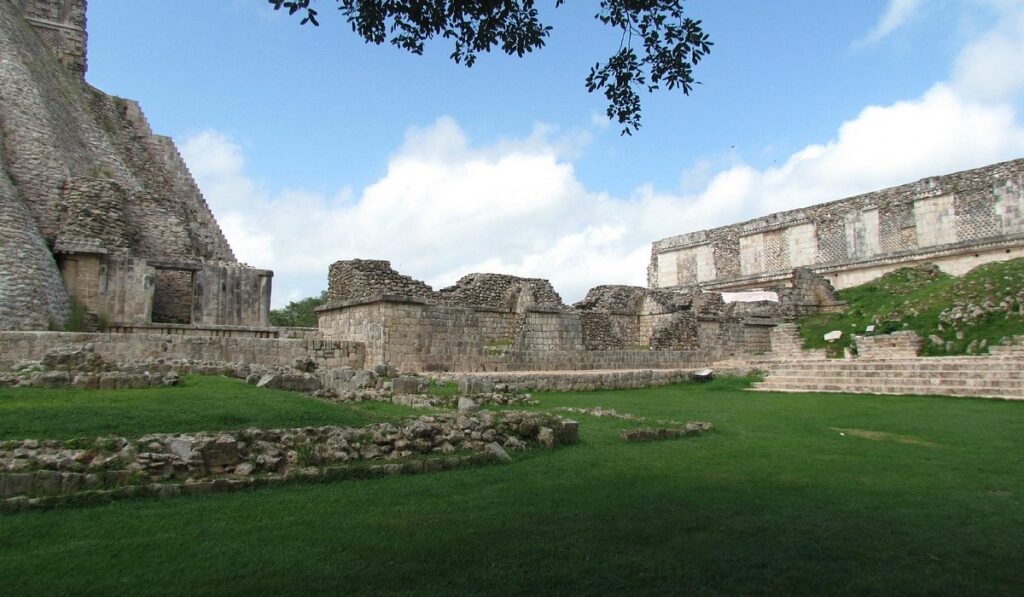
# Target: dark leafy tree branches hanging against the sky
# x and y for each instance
(660, 47)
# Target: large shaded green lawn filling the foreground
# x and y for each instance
(791, 494)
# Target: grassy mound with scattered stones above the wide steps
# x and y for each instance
(956, 316)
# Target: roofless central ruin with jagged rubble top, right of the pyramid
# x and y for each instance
(489, 322)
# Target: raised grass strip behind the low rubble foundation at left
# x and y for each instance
(200, 404)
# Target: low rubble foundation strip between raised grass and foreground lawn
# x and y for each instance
(34, 470)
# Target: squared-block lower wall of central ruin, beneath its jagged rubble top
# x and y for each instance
(413, 335)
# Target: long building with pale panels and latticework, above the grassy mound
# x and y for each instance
(949, 219)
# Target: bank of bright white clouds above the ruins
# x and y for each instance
(447, 207)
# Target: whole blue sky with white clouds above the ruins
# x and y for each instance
(313, 147)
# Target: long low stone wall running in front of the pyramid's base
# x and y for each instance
(126, 349)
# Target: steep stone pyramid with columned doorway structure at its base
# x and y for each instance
(95, 208)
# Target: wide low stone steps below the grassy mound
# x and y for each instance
(995, 377)
